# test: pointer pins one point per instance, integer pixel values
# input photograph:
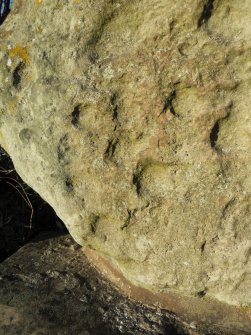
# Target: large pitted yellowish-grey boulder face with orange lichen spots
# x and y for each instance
(132, 119)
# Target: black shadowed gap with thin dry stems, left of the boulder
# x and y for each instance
(23, 213)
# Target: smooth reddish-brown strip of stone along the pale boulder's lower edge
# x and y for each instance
(212, 314)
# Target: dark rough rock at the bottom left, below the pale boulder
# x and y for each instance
(49, 288)
